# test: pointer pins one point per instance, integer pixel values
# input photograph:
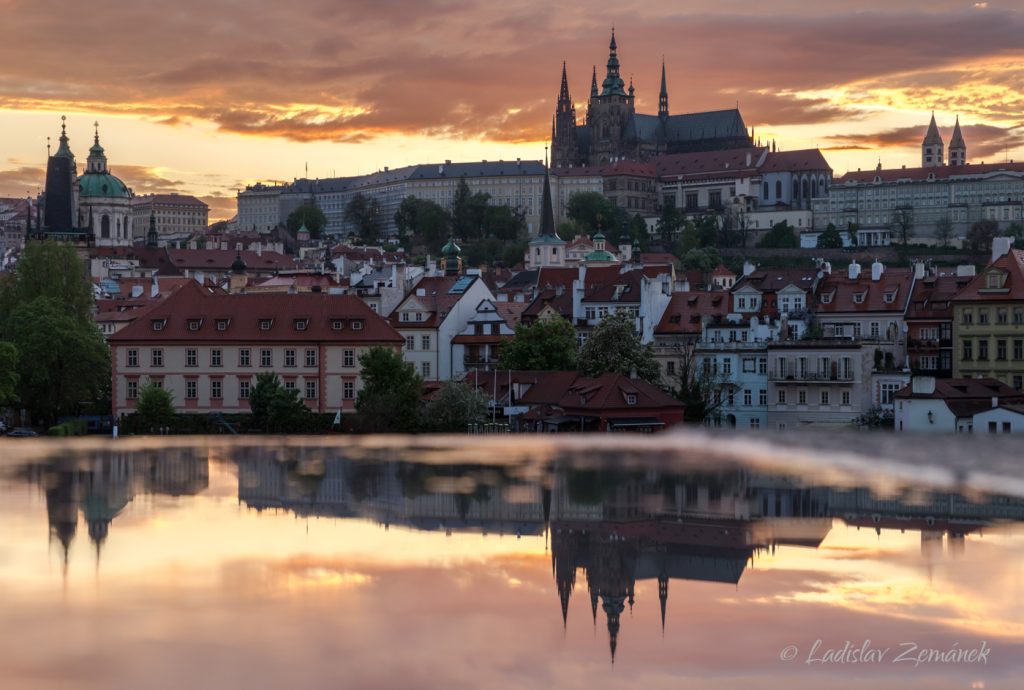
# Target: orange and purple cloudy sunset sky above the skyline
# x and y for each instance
(205, 97)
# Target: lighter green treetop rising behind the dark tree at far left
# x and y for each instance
(48, 270)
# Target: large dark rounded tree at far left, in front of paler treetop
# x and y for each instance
(64, 364)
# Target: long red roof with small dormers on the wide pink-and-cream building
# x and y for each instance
(246, 312)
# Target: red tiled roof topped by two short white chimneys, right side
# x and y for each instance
(844, 293)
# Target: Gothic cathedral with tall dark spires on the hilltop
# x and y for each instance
(615, 132)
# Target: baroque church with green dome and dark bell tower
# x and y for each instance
(91, 209)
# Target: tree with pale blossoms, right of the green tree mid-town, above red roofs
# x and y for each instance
(615, 348)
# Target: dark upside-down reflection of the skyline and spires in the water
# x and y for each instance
(614, 528)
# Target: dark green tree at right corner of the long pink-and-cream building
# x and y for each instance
(390, 400)
